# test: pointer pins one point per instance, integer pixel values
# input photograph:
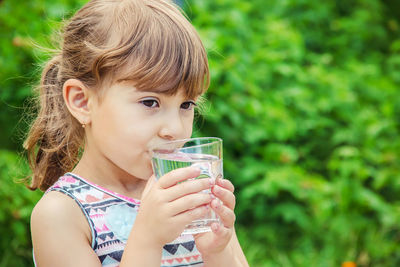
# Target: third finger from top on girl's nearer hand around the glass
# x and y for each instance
(189, 202)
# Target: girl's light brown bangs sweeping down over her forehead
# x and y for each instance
(165, 57)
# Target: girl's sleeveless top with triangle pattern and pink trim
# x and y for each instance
(111, 217)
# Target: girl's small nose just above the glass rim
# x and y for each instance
(173, 127)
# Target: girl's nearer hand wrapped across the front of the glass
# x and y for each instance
(167, 206)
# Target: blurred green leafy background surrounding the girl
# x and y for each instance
(305, 95)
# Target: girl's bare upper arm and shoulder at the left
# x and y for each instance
(61, 234)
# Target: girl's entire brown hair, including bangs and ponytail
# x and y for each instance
(149, 42)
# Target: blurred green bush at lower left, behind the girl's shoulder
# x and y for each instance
(15, 210)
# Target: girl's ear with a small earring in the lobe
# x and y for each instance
(77, 96)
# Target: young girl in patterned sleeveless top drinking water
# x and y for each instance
(127, 77)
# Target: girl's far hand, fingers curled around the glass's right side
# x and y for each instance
(215, 242)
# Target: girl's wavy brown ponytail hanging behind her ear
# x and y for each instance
(55, 137)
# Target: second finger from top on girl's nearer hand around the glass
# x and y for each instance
(188, 187)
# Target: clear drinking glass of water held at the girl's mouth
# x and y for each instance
(204, 153)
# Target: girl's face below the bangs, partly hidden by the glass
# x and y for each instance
(126, 123)
